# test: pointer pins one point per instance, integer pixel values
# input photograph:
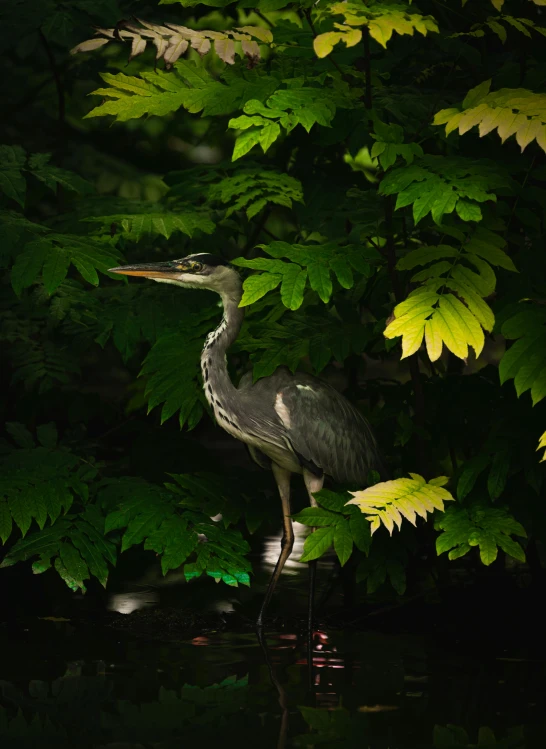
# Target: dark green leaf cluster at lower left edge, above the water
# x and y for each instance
(49, 486)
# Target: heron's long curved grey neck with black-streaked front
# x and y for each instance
(219, 389)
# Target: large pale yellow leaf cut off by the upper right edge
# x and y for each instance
(509, 111)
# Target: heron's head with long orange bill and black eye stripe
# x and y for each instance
(199, 271)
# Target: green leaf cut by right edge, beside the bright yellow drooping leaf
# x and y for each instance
(525, 360)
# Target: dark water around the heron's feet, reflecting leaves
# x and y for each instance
(388, 684)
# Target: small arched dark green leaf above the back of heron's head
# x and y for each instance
(252, 191)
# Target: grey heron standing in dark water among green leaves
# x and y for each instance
(290, 423)
